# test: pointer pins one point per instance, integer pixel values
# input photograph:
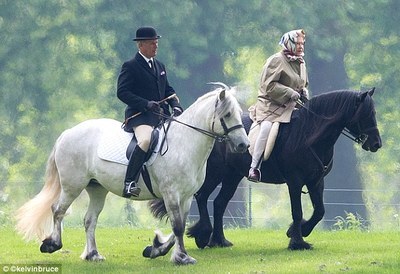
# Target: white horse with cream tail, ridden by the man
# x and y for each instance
(74, 165)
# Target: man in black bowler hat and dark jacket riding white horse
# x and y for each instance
(142, 85)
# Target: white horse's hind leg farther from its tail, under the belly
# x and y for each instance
(97, 195)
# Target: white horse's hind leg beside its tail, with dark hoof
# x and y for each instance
(53, 242)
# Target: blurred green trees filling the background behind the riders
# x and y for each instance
(59, 62)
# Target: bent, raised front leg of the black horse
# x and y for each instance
(316, 192)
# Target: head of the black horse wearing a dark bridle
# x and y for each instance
(363, 125)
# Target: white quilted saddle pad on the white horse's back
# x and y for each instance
(113, 145)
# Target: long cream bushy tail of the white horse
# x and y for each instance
(35, 218)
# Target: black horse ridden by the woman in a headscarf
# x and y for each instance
(302, 155)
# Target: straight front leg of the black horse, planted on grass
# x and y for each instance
(295, 230)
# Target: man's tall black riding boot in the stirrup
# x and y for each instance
(136, 162)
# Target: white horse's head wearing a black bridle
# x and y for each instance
(227, 122)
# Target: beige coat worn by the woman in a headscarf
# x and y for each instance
(279, 80)
